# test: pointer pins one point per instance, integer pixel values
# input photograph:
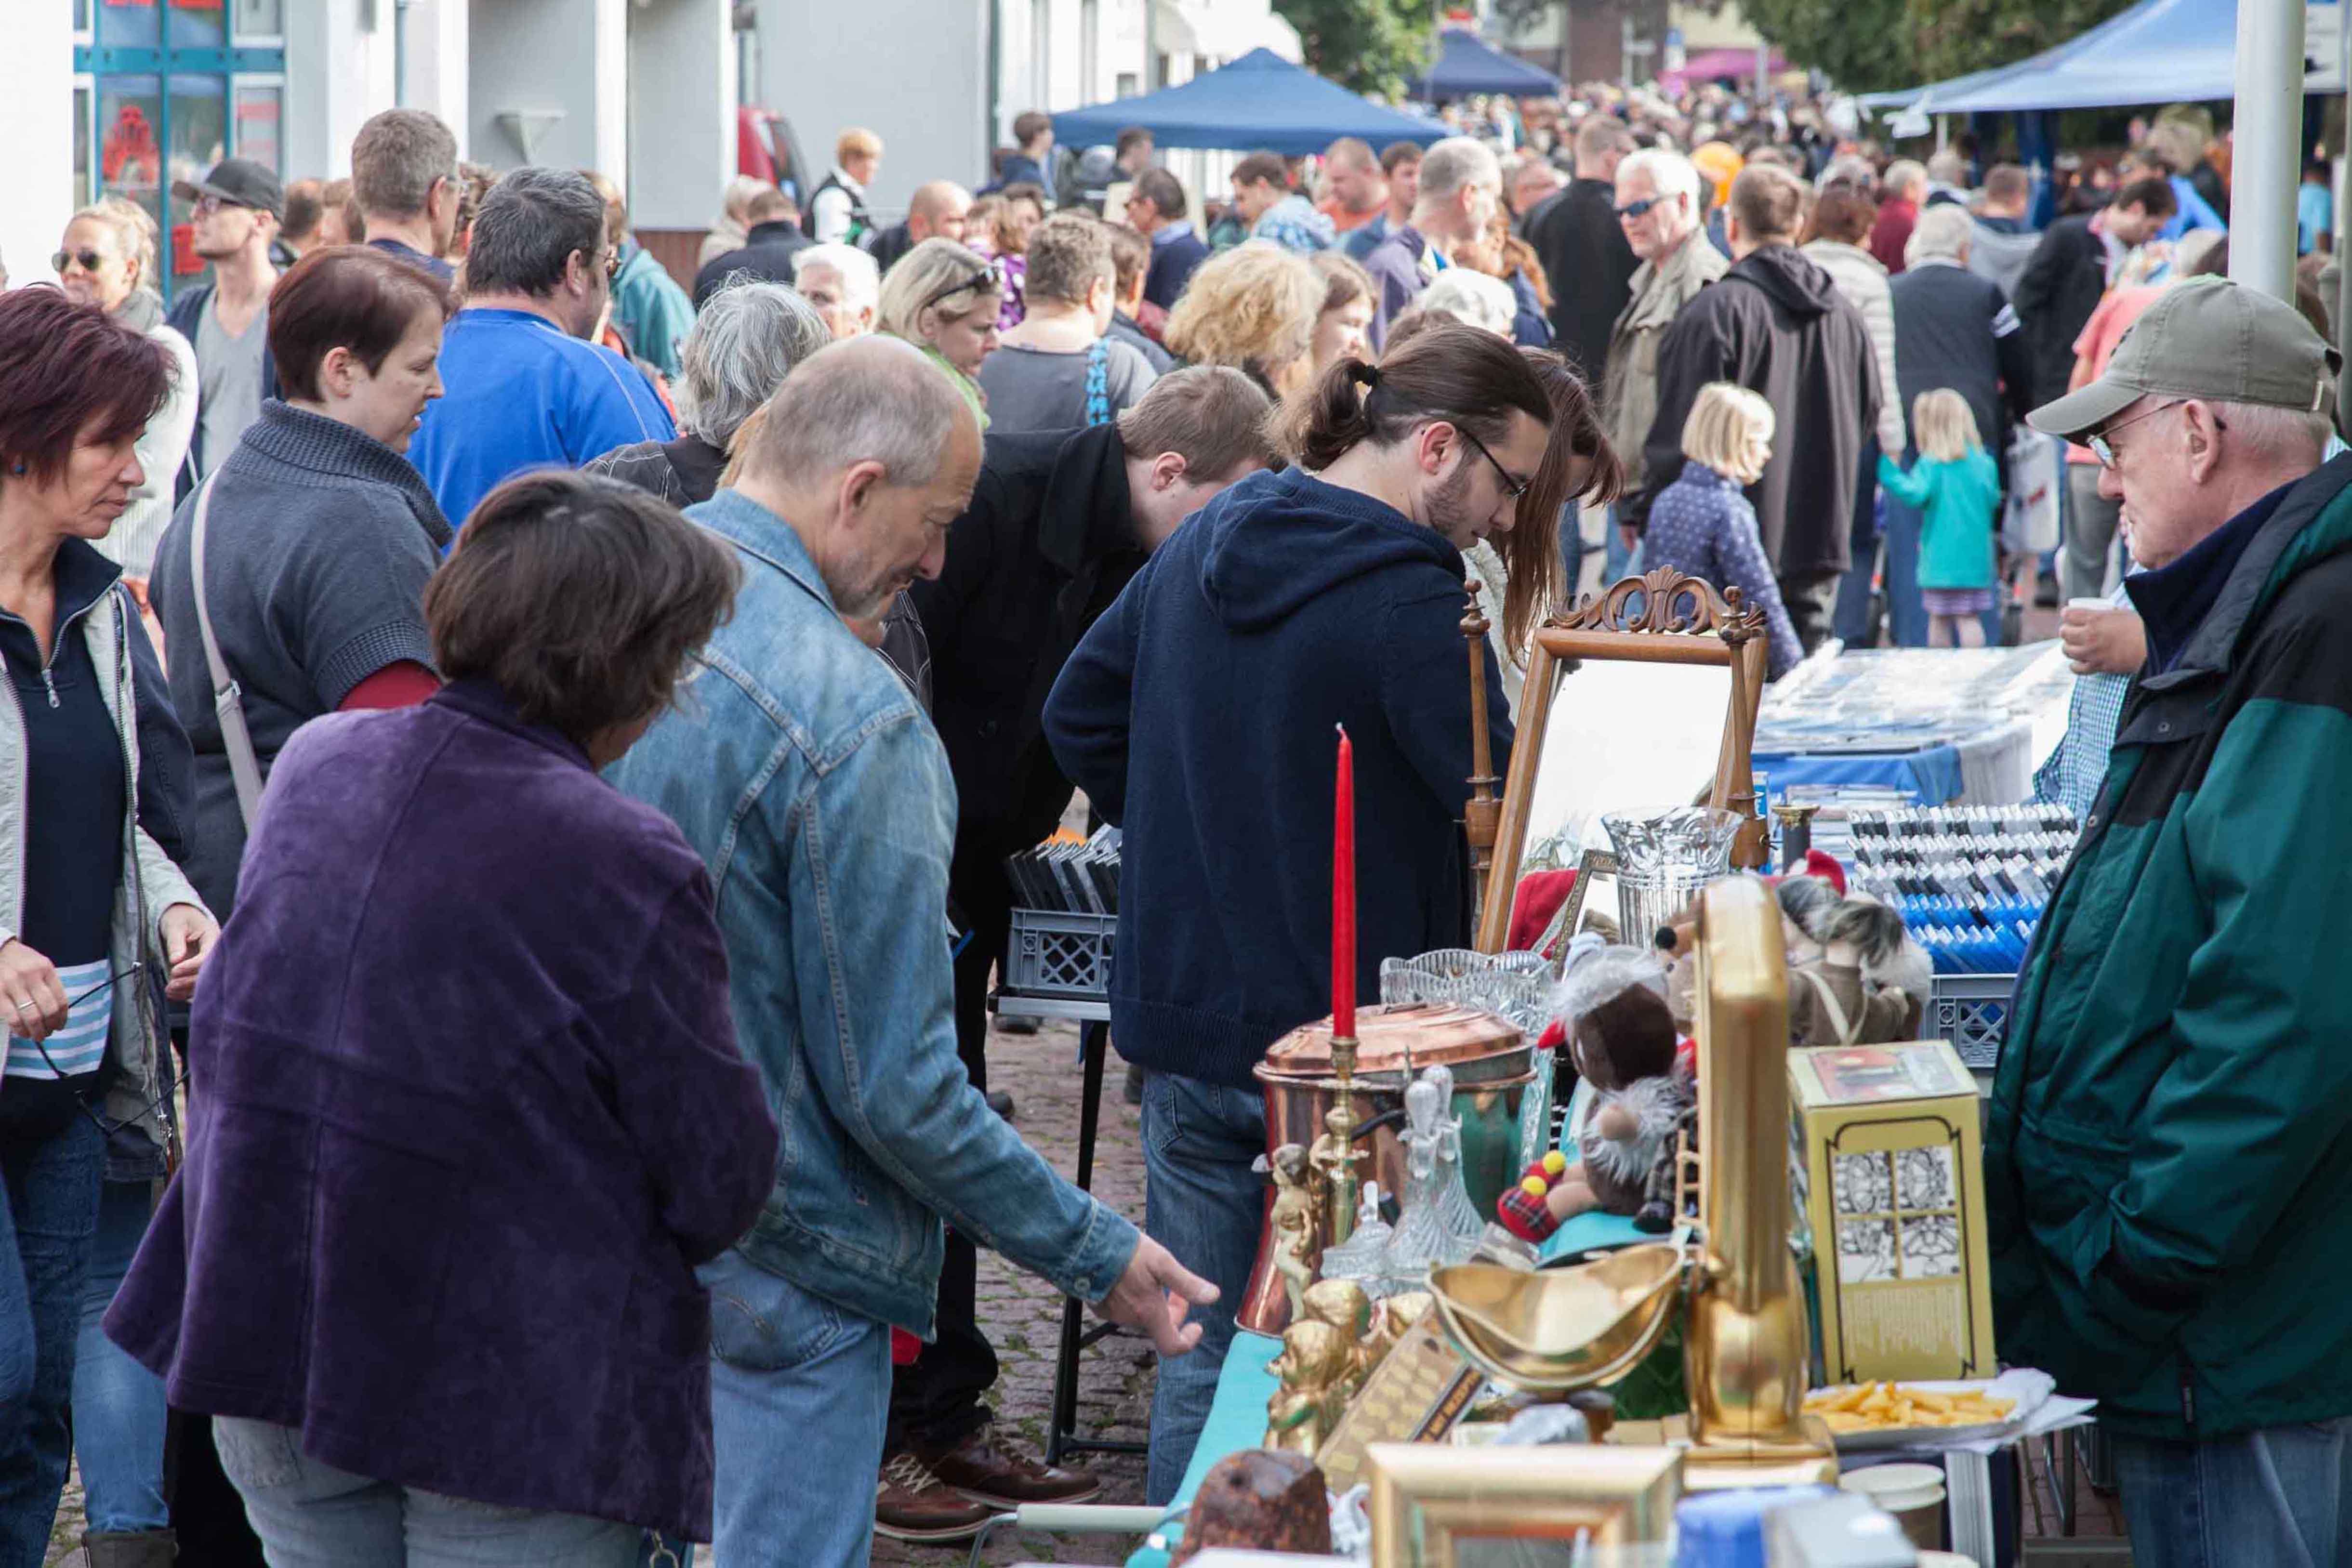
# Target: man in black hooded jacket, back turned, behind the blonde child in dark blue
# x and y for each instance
(1777, 326)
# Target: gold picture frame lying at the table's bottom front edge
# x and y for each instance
(1429, 1499)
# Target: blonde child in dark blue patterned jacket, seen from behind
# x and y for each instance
(1706, 528)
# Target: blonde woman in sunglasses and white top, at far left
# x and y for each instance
(107, 260)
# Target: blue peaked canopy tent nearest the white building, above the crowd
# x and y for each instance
(1255, 105)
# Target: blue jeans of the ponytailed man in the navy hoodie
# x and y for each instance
(1205, 1205)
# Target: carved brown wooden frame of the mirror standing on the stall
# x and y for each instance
(1683, 622)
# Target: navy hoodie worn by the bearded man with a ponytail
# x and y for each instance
(1201, 713)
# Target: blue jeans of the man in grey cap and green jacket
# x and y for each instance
(2271, 1499)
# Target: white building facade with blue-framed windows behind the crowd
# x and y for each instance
(121, 98)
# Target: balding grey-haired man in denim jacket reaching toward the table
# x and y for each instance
(817, 791)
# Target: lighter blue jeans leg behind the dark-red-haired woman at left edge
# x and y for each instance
(119, 1409)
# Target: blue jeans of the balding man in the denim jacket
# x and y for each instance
(799, 1400)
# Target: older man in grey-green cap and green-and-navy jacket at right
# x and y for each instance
(2172, 1120)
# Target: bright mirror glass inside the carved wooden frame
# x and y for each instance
(1624, 737)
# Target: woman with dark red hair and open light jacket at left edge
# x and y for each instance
(88, 899)
